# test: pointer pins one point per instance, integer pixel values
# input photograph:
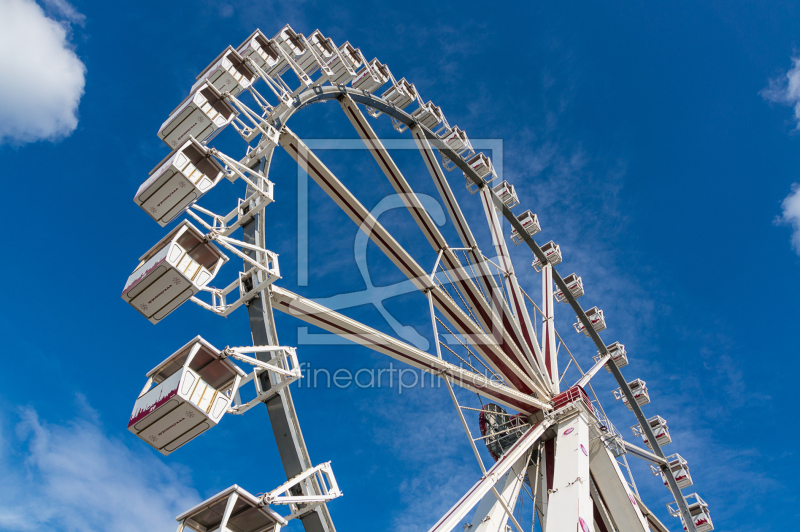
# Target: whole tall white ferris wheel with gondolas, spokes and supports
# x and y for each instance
(548, 439)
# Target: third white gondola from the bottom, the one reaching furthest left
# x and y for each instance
(172, 271)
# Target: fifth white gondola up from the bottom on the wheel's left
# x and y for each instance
(202, 115)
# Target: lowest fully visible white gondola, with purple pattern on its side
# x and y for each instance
(193, 389)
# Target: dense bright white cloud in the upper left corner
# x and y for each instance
(43, 78)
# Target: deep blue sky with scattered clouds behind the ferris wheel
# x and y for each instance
(657, 144)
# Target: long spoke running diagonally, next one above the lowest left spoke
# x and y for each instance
(492, 353)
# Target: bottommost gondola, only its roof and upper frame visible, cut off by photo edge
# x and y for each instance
(233, 509)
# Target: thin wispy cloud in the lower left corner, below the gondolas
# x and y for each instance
(73, 476)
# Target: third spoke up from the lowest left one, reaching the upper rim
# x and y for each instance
(495, 327)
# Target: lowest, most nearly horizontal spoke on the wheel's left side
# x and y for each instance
(336, 323)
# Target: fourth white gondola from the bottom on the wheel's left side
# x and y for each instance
(178, 182)
